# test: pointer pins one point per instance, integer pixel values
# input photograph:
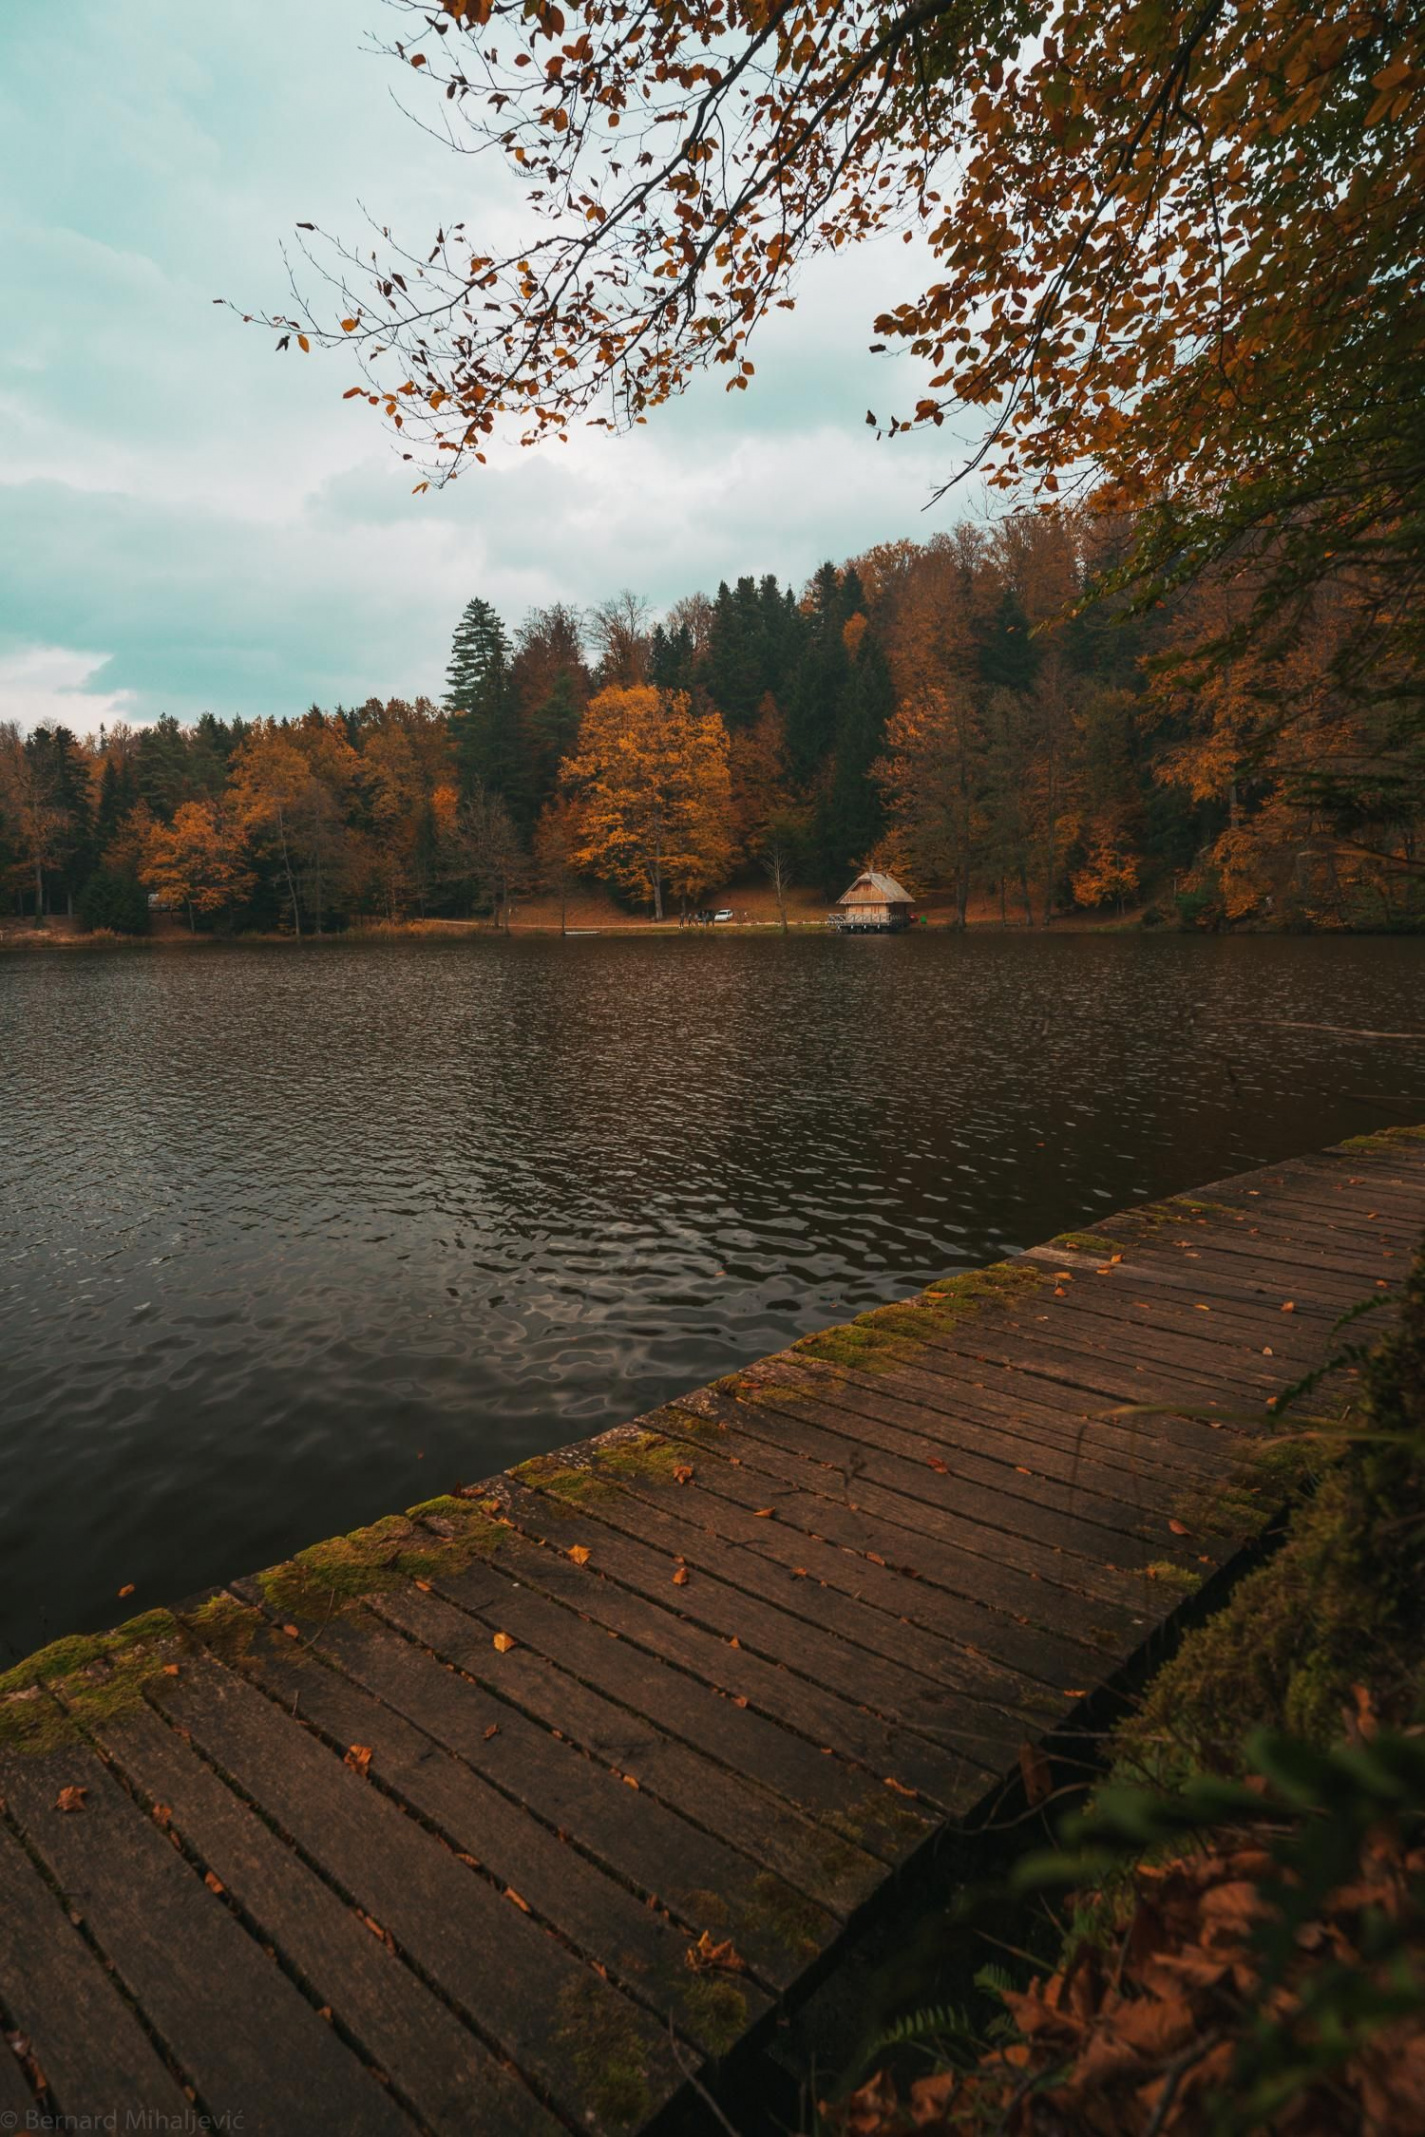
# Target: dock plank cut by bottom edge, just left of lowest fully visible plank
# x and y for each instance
(437, 2065)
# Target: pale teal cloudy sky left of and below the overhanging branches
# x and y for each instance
(193, 522)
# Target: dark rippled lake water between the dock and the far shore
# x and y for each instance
(296, 1238)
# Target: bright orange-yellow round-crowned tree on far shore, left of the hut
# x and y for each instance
(653, 794)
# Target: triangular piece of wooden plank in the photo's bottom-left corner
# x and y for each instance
(87, 2038)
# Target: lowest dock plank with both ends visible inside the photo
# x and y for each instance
(586, 2046)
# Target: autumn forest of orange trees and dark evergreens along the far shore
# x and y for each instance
(954, 711)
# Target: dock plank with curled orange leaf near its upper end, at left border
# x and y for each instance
(206, 1986)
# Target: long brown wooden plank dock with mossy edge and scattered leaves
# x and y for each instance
(522, 1811)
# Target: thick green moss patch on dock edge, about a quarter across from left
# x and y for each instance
(330, 1576)
